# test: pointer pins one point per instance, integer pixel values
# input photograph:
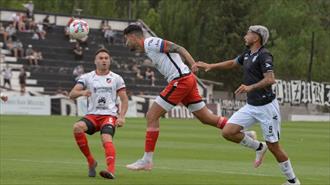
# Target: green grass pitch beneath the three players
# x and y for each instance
(41, 151)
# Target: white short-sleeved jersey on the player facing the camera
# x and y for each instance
(104, 90)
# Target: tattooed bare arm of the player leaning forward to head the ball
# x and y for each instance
(170, 47)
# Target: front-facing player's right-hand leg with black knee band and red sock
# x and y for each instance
(107, 132)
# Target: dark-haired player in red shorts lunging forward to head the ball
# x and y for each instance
(182, 88)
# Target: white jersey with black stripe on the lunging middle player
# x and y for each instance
(168, 64)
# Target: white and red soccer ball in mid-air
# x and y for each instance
(79, 29)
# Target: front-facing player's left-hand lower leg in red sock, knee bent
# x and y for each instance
(79, 129)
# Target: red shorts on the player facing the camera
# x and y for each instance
(96, 122)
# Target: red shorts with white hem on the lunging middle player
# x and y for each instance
(182, 90)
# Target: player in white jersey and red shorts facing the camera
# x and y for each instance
(102, 87)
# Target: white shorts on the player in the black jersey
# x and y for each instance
(267, 115)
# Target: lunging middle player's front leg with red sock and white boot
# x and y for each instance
(153, 115)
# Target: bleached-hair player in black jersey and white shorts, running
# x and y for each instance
(262, 105)
